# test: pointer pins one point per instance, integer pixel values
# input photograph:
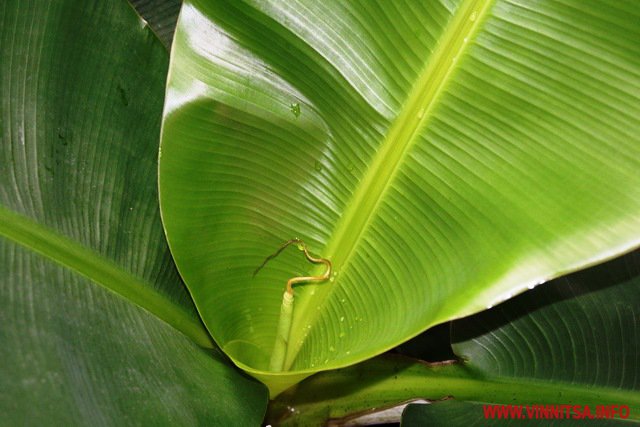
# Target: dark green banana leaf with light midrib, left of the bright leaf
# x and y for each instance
(81, 87)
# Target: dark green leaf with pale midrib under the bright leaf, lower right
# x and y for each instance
(573, 341)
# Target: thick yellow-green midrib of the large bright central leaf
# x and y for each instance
(401, 136)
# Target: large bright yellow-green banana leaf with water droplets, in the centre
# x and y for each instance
(444, 155)
